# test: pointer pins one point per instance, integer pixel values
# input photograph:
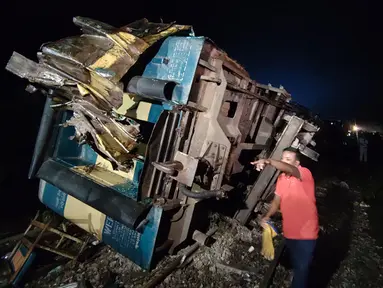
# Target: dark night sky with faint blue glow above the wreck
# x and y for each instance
(319, 52)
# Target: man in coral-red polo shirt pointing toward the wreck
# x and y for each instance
(295, 195)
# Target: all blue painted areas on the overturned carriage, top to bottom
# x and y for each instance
(176, 61)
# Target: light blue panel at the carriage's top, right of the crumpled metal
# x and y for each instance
(177, 61)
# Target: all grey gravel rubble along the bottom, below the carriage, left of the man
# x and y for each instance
(233, 260)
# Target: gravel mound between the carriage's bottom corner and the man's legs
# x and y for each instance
(234, 260)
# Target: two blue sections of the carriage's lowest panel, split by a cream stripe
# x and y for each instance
(136, 246)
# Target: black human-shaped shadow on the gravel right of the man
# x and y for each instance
(332, 248)
